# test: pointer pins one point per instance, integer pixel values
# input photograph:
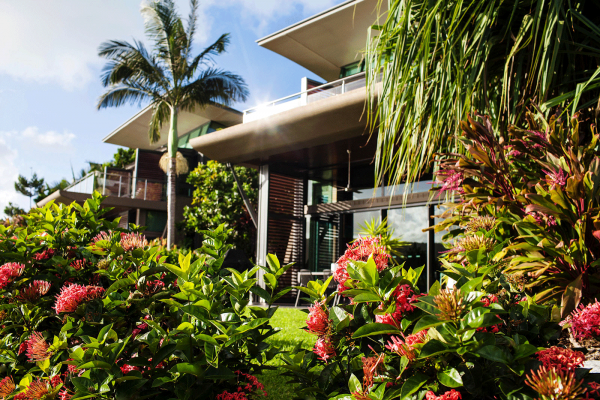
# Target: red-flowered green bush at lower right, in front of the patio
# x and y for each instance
(453, 343)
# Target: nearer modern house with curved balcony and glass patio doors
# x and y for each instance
(314, 154)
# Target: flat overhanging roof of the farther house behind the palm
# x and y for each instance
(134, 132)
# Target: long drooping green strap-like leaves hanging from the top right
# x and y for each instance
(443, 59)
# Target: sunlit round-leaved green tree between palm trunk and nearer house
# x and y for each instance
(217, 200)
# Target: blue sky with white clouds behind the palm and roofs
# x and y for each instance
(49, 74)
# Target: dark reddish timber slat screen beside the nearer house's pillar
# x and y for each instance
(286, 226)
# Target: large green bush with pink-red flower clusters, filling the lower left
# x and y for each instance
(88, 310)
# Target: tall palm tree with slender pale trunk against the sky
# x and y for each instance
(168, 77)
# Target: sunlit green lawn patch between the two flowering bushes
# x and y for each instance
(290, 320)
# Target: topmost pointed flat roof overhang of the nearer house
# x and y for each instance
(327, 41)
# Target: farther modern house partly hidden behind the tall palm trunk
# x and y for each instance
(137, 193)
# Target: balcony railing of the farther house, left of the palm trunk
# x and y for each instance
(120, 184)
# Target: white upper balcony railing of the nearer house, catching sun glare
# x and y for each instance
(305, 97)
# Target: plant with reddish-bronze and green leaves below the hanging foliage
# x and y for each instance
(534, 193)
